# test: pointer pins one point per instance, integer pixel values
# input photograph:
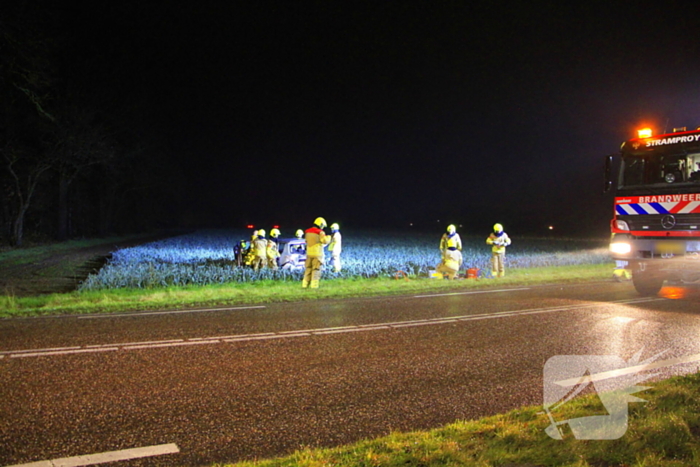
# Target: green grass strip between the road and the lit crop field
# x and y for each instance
(269, 291)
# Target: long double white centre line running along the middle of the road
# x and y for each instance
(302, 332)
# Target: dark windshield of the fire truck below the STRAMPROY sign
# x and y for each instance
(659, 170)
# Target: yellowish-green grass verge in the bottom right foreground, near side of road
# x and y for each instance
(663, 432)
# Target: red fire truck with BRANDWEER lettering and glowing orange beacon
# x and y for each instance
(656, 217)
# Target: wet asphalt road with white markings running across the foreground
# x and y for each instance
(252, 382)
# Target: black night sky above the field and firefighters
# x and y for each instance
(384, 113)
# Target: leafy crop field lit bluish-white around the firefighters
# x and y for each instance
(207, 258)
